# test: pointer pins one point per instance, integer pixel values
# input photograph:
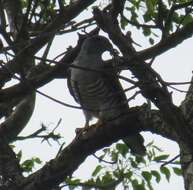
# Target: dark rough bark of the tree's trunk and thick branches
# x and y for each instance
(170, 121)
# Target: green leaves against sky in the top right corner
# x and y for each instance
(154, 16)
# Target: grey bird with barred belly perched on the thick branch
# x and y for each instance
(96, 87)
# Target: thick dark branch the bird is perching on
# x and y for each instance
(95, 138)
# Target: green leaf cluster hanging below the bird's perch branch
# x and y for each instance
(118, 167)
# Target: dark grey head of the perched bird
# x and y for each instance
(97, 44)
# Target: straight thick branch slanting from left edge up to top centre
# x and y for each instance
(32, 47)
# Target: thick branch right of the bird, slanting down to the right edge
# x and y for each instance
(151, 85)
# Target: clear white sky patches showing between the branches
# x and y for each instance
(174, 65)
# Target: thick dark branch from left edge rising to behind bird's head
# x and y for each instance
(47, 73)
